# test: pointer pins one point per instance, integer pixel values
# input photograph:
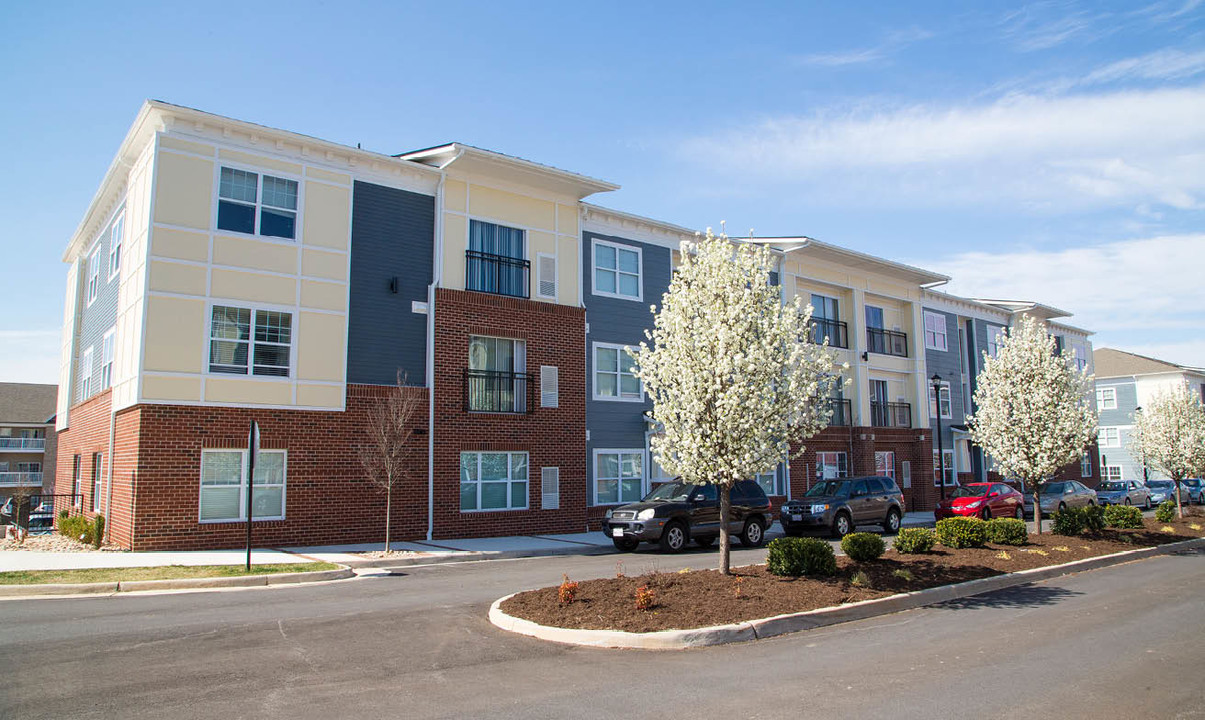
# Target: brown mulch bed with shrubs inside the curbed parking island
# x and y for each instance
(704, 598)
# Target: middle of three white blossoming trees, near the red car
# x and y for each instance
(1034, 411)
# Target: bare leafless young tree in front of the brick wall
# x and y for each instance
(387, 453)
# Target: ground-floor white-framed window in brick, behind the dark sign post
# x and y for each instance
(224, 497)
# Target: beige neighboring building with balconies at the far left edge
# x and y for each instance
(27, 438)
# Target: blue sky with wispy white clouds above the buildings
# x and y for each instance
(1047, 151)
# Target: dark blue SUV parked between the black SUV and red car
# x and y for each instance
(838, 506)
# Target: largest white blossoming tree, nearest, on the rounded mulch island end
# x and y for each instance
(732, 373)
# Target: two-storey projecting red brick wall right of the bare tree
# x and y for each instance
(554, 438)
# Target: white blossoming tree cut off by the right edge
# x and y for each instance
(1169, 434)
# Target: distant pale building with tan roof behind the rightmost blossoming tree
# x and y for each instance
(1125, 383)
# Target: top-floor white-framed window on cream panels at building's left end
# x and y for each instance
(257, 205)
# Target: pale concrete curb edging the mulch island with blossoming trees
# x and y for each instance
(792, 623)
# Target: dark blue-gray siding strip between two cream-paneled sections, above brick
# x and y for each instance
(393, 235)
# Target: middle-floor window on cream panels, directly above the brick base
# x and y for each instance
(234, 341)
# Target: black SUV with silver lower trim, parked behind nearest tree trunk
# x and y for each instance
(677, 514)
